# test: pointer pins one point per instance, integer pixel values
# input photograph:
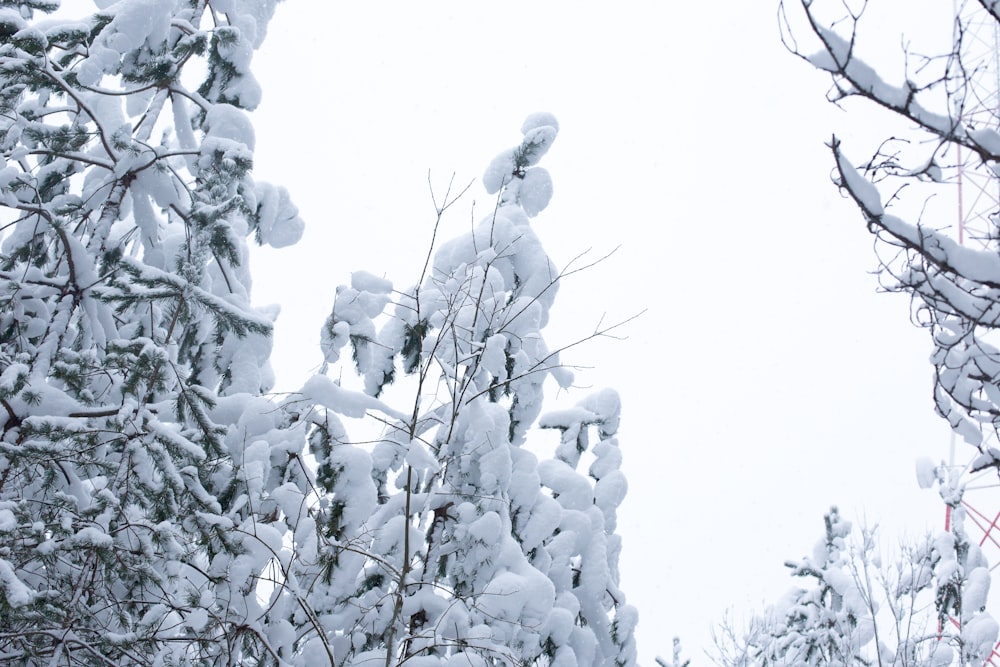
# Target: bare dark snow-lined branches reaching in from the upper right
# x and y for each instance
(906, 190)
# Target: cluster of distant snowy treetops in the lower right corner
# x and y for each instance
(922, 607)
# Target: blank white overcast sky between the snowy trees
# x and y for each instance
(766, 380)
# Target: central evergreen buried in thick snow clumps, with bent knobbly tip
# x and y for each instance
(447, 541)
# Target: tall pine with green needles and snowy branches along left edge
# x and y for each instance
(129, 353)
